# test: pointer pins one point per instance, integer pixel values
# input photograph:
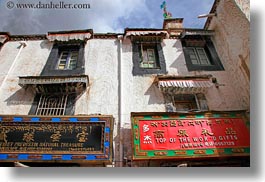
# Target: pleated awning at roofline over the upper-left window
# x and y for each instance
(68, 36)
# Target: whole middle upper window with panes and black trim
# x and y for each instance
(148, 58)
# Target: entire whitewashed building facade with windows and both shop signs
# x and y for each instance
(173, 96)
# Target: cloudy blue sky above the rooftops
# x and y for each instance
(103, 15)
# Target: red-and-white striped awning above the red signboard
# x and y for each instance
(184, 86)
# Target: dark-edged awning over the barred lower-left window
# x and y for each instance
(55, 84)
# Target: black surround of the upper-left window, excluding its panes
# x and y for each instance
(51, 66)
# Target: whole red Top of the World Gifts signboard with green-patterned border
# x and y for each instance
(212, 134)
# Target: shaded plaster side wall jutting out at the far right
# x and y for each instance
(232, 31)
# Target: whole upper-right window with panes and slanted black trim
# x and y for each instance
(200, 54)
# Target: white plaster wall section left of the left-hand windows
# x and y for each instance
(32, 58)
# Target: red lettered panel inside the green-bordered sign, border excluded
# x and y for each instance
(193, 134)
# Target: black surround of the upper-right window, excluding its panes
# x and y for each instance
(216, 64)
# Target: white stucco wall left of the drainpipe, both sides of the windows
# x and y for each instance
(101, 66)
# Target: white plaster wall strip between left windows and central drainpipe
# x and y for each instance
(101, 67)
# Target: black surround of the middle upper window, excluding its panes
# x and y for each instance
(161, 63)
